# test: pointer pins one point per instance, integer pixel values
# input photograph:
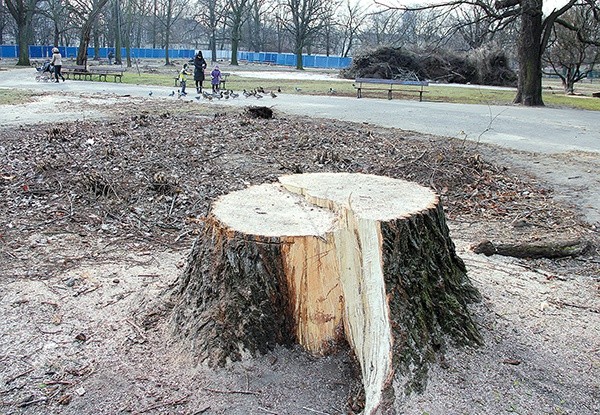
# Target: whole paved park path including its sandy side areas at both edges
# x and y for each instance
(561, 146)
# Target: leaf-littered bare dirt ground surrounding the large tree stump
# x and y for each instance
(98, 218)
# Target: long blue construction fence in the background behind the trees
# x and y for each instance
(284, 59)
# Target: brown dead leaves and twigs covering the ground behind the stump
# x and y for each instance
(149, 176)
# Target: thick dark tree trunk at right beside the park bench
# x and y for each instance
(529, 90)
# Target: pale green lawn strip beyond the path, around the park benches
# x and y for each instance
(436, 93)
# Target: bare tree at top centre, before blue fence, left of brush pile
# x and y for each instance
(306, 19)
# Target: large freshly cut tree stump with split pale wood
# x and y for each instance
(323, 259)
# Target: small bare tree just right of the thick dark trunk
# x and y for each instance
(574, 48)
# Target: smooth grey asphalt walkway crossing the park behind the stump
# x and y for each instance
(537, 130)
